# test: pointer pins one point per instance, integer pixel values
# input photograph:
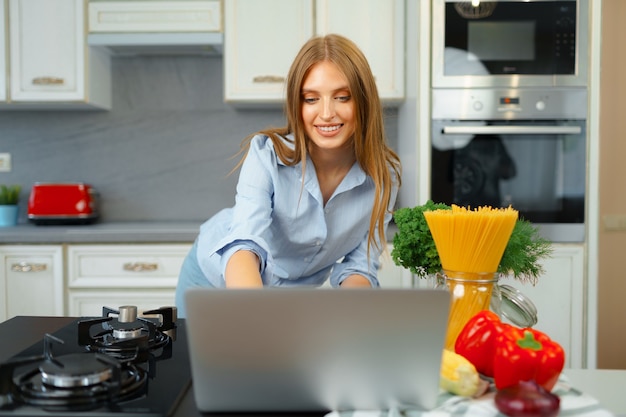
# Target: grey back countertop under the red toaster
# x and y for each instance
(113, 232)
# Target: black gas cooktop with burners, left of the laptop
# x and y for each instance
(118, 364)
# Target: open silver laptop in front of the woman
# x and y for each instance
(279, 350)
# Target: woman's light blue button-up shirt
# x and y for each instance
(299, 240)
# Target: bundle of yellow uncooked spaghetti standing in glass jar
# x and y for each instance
(470, 244)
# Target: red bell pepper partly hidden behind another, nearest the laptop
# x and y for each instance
(477, 340)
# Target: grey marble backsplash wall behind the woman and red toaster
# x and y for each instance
(163, 153)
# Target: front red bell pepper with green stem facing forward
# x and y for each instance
(527, 355)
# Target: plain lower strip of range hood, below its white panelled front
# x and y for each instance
(128, 44)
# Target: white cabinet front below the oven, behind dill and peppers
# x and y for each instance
(560, 299)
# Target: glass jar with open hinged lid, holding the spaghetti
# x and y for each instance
(472, 292)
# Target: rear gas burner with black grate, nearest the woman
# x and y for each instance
(126, 336)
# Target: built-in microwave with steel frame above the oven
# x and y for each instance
(509, 43)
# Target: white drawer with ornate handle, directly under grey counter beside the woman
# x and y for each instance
(125, 266)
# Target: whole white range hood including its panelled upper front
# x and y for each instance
(162, 27)
